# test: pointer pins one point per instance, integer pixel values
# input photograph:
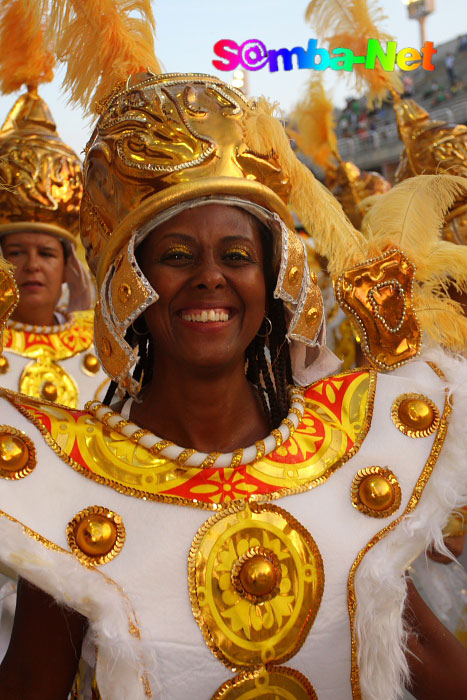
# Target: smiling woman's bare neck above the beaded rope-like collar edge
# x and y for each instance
(205, 412)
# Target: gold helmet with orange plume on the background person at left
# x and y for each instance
(40, 175)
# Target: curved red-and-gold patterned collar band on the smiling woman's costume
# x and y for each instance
(336, 420)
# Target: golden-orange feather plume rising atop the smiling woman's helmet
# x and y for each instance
(103, 42)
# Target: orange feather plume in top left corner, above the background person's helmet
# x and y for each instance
(24, 55)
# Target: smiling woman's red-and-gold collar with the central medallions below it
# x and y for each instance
(256, 576)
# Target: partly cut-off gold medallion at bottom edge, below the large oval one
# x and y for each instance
(273, 683)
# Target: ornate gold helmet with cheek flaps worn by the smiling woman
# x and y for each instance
(162, 141)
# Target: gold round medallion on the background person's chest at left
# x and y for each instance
(46, 379)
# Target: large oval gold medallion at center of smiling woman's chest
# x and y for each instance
(256, 579)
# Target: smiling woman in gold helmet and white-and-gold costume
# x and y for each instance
(156, 534)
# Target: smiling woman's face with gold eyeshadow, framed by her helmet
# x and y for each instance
(206, 264)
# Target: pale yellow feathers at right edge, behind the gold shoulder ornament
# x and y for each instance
(411, 216)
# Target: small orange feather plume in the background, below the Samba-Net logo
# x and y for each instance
(315, 126)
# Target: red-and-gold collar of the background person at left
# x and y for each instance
(70, 340)
